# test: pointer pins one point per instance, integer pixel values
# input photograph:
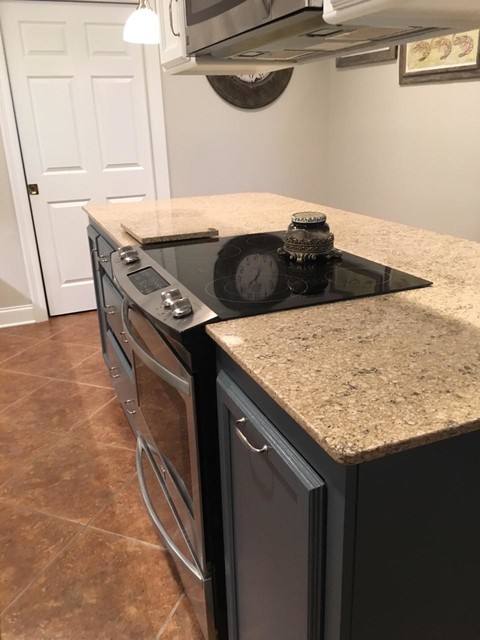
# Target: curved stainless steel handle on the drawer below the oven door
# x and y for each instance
(142, 447)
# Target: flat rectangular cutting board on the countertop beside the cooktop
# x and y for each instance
(149, 231)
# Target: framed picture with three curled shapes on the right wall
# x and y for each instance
(446, 58)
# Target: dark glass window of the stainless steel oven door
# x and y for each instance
(165, 412)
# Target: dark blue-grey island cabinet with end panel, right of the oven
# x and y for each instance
(316, 550)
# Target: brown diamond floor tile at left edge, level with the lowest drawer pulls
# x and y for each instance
(57, 406)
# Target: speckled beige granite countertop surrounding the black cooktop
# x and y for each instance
(368, 377)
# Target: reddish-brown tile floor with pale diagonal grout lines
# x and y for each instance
(79, 559)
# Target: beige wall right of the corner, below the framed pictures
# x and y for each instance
(409, 154)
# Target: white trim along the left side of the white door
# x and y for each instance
(20, 198)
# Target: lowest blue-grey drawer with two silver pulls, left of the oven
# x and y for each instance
(123, 380)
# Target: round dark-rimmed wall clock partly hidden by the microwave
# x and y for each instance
(251, 91)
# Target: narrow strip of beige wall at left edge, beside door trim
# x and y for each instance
(14, 289)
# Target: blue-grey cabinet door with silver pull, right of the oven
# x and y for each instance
(274, 521)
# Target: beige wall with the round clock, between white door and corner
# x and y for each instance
(214, 147)
